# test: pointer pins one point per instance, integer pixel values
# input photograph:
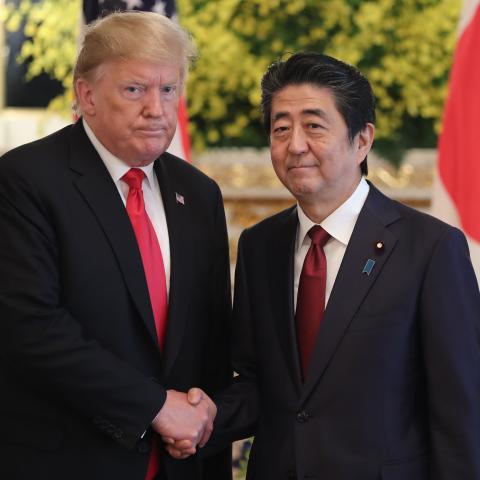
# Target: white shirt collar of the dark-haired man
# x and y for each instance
(340, 223)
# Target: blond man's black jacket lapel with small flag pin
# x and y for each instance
(181, 256)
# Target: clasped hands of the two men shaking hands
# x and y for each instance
(185, 421)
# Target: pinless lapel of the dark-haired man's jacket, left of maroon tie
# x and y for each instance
(280, 257)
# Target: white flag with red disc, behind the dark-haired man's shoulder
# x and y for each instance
(456, 193)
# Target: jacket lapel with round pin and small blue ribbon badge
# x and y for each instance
(351, 285)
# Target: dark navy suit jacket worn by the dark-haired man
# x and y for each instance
(393, 390)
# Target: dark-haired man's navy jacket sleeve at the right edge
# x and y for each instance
(450, 326)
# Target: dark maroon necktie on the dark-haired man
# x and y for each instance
(311, 295)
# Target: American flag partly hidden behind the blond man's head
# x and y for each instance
(93, 9)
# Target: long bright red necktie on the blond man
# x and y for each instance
(154, 273)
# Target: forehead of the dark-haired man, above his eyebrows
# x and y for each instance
(297, 98)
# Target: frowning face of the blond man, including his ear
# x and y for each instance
(131, 106)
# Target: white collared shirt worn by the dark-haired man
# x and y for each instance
(339, 224)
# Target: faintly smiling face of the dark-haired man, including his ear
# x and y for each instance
(310, 149)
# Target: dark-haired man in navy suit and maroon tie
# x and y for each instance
(356, 319)
